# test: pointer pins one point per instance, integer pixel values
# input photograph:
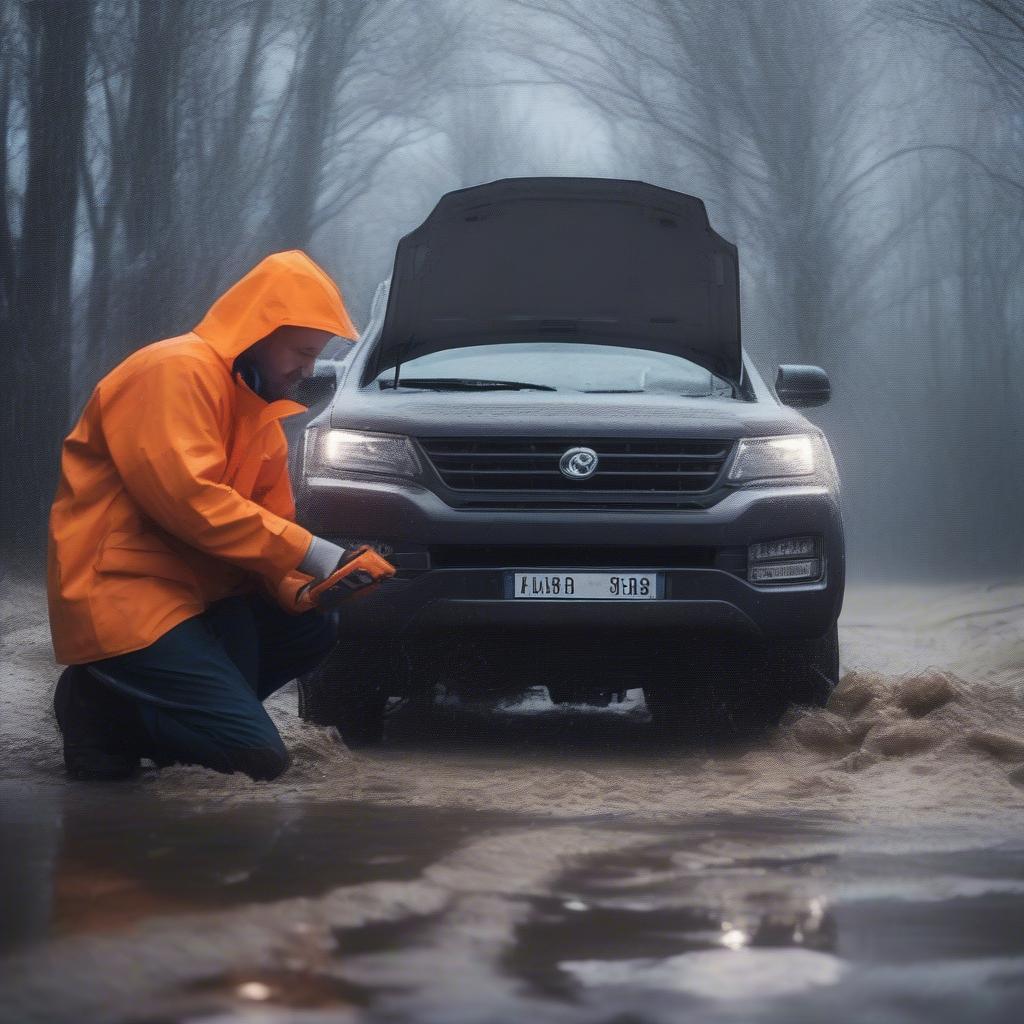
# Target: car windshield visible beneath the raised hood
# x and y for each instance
(567, 367)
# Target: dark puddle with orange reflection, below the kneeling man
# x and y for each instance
(75, 862)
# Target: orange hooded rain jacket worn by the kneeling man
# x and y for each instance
(175, 489)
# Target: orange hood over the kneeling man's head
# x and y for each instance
(285, 288)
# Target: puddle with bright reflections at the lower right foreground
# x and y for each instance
(691, 917)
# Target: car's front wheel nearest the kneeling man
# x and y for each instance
(350, 690)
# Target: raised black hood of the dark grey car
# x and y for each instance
(600, 261)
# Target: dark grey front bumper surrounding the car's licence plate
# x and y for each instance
(436, 592)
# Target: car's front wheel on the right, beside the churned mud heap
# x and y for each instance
(722, 690)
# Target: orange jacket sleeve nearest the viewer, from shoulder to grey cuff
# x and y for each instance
(163, 432)
